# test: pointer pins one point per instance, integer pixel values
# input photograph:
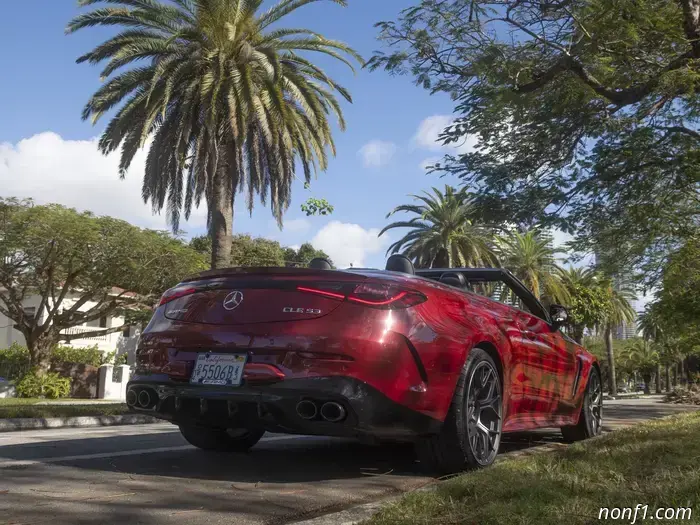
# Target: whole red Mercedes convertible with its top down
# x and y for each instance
(447, 359)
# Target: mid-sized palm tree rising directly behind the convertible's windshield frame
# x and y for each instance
(444, 232)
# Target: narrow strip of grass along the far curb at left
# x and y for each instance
(23, 408)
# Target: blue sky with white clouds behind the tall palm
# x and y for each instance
(49, 154)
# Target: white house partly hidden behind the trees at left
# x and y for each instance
(122, 341)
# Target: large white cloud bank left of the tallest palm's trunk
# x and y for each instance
(74, 173)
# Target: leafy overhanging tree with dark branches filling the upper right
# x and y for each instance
(586, 113)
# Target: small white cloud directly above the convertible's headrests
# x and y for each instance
(348, 244)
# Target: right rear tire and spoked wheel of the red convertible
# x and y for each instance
(471, 433)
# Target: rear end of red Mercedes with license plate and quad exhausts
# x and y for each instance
(286, 350)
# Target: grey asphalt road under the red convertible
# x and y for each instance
(148, 474)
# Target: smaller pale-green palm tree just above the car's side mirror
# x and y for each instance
(531, 257)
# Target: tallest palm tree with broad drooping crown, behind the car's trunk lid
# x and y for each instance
(226, 99)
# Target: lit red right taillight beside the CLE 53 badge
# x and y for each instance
(375, 295)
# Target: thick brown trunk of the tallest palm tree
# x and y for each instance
(221, 225)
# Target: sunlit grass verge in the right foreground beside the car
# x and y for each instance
(655, 463)
